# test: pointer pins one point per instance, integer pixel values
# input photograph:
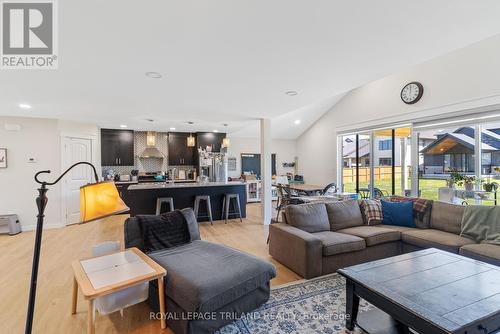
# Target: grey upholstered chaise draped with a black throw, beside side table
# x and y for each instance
(207, 285)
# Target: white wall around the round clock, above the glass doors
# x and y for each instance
(461, 80)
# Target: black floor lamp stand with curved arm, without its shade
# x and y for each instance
(41, 202)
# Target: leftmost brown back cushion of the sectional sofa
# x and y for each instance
(310, 217)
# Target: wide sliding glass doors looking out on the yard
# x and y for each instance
(422, 159)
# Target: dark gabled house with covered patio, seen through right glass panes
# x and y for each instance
(455, 150)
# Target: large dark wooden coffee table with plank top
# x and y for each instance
(429, 291)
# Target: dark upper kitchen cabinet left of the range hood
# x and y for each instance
(117, 147)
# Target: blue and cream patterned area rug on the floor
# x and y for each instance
(312, 306)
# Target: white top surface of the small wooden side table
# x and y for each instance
(115, 268)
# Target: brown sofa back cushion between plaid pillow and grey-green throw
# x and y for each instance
(447, 217)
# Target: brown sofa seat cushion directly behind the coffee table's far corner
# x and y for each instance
(426, 238)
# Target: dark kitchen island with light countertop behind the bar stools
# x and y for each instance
(141, 198)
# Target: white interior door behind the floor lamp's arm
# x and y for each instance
(75, 150)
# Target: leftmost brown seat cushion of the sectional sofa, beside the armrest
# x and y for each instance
(337, 243)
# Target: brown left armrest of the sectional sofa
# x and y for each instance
(298, 250)
